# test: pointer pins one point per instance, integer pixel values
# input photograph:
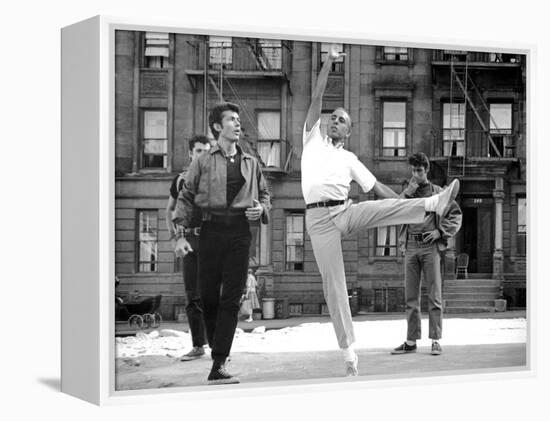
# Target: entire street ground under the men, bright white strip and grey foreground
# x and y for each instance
(482, 341)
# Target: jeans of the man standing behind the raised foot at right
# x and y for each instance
(423, 259)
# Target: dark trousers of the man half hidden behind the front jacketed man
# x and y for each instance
(193, 309)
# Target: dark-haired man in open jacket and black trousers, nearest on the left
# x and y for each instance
(228, 186)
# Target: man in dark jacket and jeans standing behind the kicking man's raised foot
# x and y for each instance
(422, 244)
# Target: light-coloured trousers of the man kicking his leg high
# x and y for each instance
(327, 226)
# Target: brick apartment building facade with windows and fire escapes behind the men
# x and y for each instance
(466, 110)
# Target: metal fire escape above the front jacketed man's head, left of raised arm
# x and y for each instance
(220, 73)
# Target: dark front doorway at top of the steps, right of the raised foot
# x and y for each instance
(476, 235)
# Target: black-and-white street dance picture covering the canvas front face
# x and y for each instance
(291, 210)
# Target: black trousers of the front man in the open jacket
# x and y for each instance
(223, 266)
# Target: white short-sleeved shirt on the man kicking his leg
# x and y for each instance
(327, 170)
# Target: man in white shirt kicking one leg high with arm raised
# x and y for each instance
(327, 171)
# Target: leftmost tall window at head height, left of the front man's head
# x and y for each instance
(155, 141)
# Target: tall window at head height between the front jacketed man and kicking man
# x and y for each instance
(269, 137)
